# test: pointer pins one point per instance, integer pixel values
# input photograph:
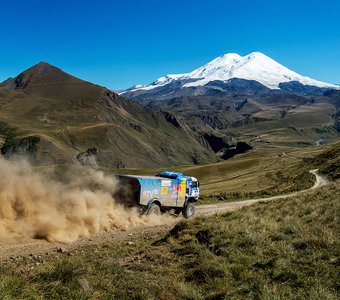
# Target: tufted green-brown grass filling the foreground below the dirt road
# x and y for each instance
(286, 249)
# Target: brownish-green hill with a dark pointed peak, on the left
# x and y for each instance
(54, 117)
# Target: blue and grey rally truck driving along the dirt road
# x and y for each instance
(165, 192)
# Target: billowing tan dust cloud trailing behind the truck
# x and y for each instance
(36, 204)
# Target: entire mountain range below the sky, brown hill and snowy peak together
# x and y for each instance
(203, 116)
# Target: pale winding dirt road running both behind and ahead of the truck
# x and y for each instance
(24, 246)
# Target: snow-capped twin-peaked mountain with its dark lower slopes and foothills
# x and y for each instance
(245, 97)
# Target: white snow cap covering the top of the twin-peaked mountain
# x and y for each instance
(254, 66)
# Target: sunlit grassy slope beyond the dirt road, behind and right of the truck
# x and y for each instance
(263, 171)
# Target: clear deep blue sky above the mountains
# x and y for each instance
(121, 43)
